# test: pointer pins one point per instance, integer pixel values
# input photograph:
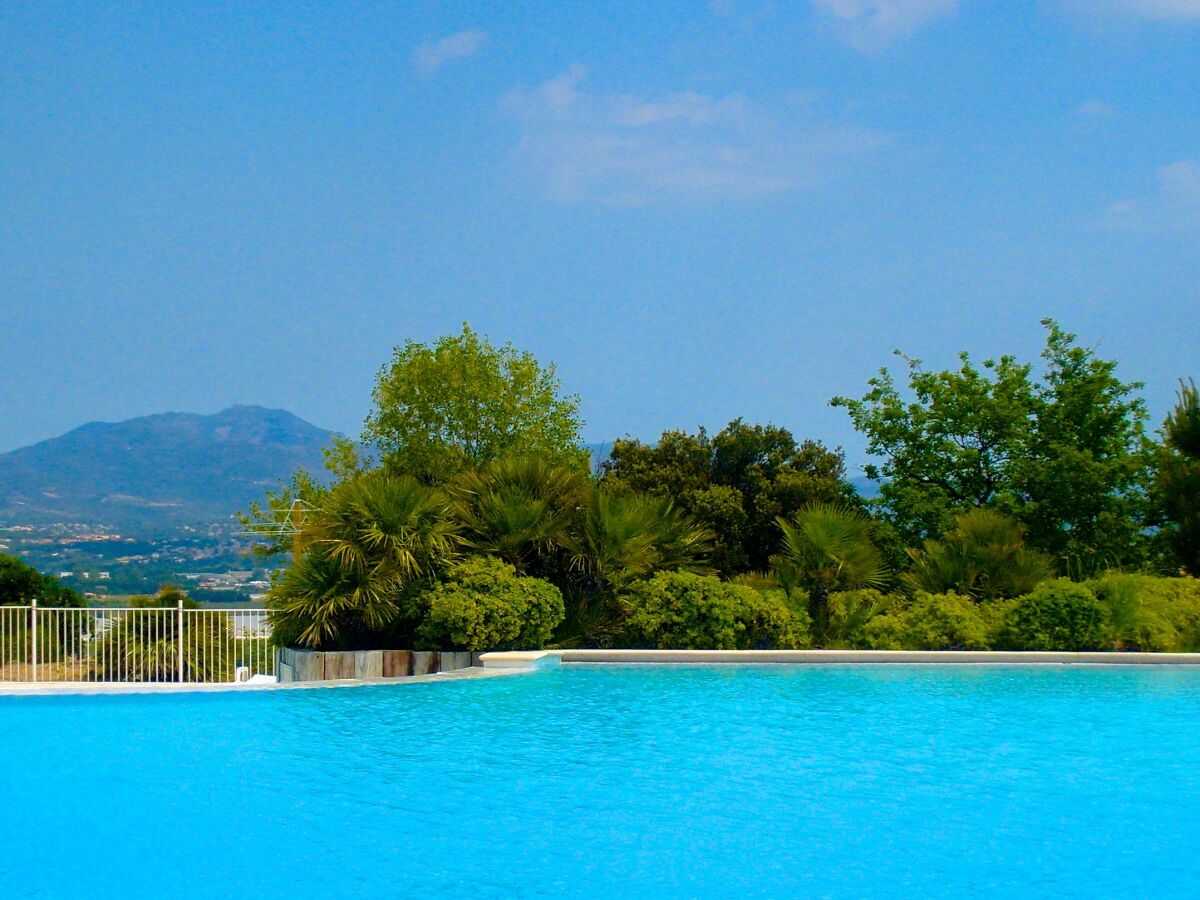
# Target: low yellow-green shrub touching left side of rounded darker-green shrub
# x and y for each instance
(932, 622)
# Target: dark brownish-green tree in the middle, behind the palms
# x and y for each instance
(735, 484)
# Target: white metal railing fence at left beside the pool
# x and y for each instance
(41, 644)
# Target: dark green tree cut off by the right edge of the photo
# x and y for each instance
(1178, 481)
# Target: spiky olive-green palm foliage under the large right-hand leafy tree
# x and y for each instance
(983, 557)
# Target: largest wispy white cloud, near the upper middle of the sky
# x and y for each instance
(632, 149)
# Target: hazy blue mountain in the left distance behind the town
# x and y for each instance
(159, 471)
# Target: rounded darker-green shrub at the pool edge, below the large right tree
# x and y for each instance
(1058, 616)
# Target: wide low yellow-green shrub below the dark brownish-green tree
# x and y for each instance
(686, 611)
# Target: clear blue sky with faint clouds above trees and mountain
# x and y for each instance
(699, 211)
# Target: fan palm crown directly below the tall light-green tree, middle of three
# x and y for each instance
(520, 509)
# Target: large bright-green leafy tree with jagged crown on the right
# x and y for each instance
(1066, 455)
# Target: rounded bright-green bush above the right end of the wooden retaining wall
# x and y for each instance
(484, 605)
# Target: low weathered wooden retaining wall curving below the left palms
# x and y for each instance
(297, 665)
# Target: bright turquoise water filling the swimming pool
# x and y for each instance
(639, 782)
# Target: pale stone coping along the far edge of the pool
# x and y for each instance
(523, 662)
